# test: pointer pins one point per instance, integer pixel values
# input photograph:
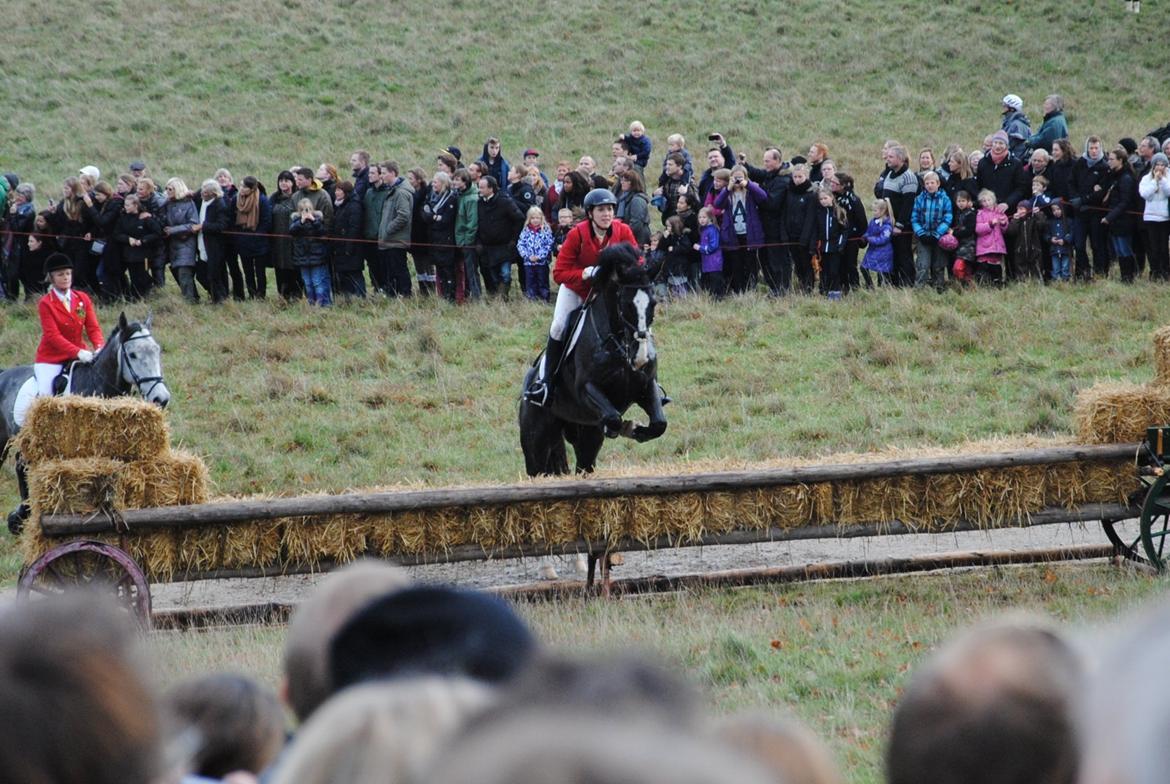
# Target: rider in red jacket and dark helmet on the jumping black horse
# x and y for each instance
(574, 273)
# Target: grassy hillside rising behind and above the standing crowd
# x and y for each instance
(195, 85)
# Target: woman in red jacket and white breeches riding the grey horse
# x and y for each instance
(67, 319)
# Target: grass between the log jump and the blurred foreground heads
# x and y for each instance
(836, 655)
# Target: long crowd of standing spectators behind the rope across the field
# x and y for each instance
(1027, 205)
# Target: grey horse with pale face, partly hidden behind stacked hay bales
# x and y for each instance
(132, 360)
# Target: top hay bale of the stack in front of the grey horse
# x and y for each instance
(74, 427)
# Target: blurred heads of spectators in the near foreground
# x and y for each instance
(397, 684)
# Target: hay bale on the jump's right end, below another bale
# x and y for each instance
(1120, 414)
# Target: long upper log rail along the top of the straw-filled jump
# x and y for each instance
(388, 503)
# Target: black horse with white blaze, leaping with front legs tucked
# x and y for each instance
(611, 366)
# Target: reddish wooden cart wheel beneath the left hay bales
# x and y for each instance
(90, 567)
